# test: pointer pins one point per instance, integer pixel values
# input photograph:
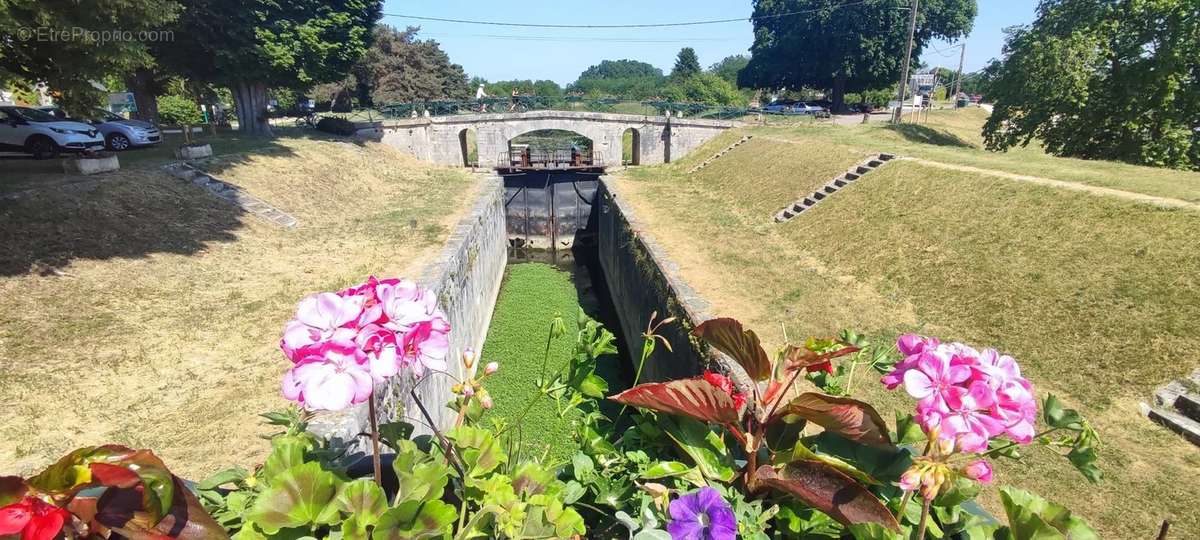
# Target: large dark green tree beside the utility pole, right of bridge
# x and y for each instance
(844, 47)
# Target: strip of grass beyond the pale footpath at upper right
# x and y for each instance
(956, 137)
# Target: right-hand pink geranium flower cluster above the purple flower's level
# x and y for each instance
(965, 397)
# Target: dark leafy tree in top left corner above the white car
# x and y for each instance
(70, 45)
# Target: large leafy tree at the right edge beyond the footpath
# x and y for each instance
(1103, 80)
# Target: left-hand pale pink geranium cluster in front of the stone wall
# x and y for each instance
(341, 345)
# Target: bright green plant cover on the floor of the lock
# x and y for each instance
(531, 297)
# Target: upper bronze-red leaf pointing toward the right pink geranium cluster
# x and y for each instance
(849, 418)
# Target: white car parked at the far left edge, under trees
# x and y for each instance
(29, 131)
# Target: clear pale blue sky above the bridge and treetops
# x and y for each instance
(519, 53)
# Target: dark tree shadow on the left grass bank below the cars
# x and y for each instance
(123, 218)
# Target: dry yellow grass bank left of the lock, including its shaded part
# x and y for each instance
(147, 313)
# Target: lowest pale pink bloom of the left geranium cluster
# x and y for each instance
(329, 376)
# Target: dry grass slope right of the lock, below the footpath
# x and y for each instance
(1096, 297)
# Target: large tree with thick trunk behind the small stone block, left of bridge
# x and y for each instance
(254, 45)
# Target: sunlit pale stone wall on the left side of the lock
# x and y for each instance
(467, 279)
